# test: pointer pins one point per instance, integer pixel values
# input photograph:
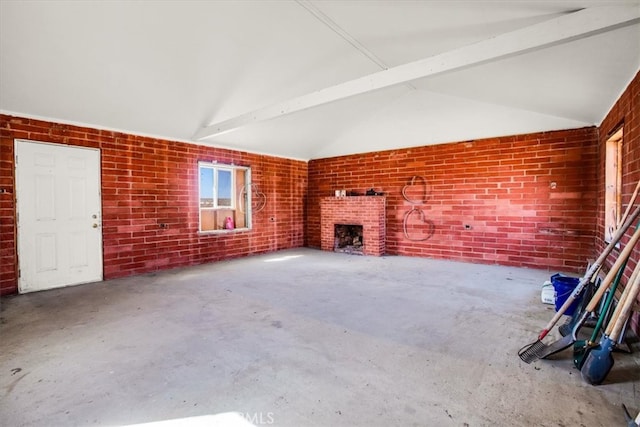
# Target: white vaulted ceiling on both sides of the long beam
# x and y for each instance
(170, 68)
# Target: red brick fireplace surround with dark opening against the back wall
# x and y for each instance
(367, 211)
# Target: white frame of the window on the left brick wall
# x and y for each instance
(236, 192)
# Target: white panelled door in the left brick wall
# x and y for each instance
(59, 215)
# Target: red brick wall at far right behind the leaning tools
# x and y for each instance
(625, 112)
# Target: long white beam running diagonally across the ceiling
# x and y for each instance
(566, 28)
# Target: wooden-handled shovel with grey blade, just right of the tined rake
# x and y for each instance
(542, 350)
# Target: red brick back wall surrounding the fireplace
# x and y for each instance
(500, 187)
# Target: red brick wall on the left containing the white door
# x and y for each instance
(147, 181)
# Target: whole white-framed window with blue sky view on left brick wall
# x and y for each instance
(224, 204)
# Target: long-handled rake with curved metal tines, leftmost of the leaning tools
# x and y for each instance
(533, 351)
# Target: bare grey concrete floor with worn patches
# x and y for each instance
(298, 338)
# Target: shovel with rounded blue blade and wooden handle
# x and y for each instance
(599, 361)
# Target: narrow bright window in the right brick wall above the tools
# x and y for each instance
(613, 185)
